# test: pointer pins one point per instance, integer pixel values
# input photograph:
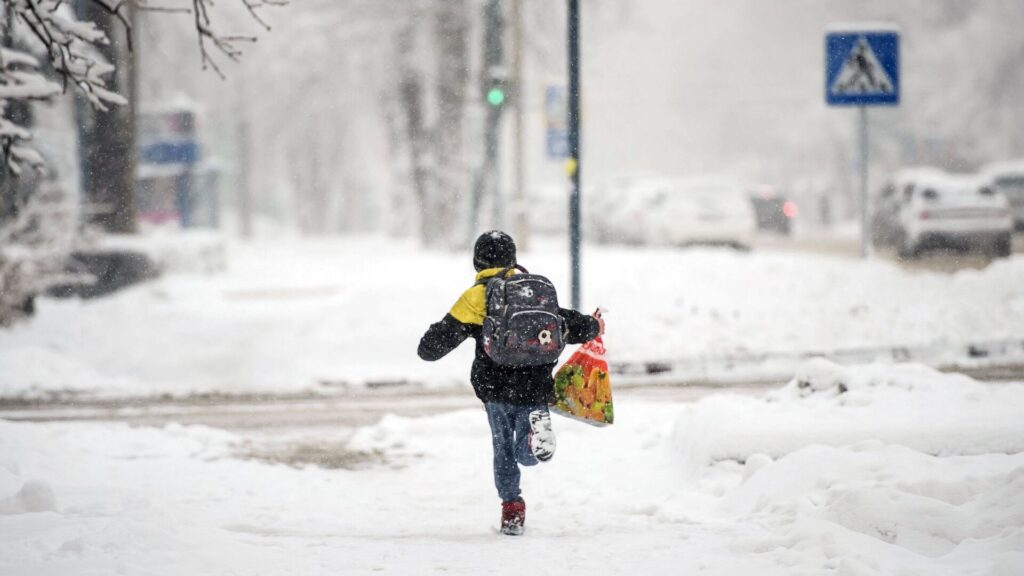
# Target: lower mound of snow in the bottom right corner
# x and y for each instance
(877, 509)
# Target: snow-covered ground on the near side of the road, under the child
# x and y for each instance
(854, 472)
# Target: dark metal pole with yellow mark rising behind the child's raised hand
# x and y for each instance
(574, 160)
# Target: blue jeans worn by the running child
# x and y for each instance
(510, 435)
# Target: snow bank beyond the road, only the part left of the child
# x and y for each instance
(311, 317)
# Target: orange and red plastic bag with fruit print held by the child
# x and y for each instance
(583, 387)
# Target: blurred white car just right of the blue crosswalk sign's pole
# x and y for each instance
(929, 209)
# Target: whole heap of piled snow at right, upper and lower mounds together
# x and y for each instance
(864, 471)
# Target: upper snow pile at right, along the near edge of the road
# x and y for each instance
(826, 404)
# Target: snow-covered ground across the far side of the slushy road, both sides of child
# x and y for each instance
(316, 316)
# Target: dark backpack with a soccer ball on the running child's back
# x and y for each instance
(522, 326)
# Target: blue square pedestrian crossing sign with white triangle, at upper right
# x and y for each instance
(863, 68)
